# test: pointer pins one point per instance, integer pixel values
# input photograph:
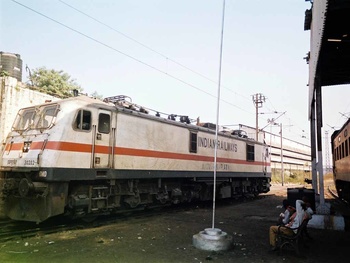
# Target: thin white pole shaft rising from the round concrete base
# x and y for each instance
(218, 112)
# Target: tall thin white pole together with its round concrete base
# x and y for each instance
(213, 239)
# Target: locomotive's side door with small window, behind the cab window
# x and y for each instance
(102, 145)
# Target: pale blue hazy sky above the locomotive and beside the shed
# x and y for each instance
(165, 55)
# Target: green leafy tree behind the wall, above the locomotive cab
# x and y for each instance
(54, 83)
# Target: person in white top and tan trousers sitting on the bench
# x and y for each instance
(295, 221)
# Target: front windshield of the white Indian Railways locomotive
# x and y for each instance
(35, 118)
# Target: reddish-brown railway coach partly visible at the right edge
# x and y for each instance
(341, 160)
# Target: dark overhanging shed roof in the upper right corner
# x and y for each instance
(329, 57)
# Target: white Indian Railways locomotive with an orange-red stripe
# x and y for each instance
(83, 157)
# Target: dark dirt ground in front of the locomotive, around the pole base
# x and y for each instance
(167, 237)
